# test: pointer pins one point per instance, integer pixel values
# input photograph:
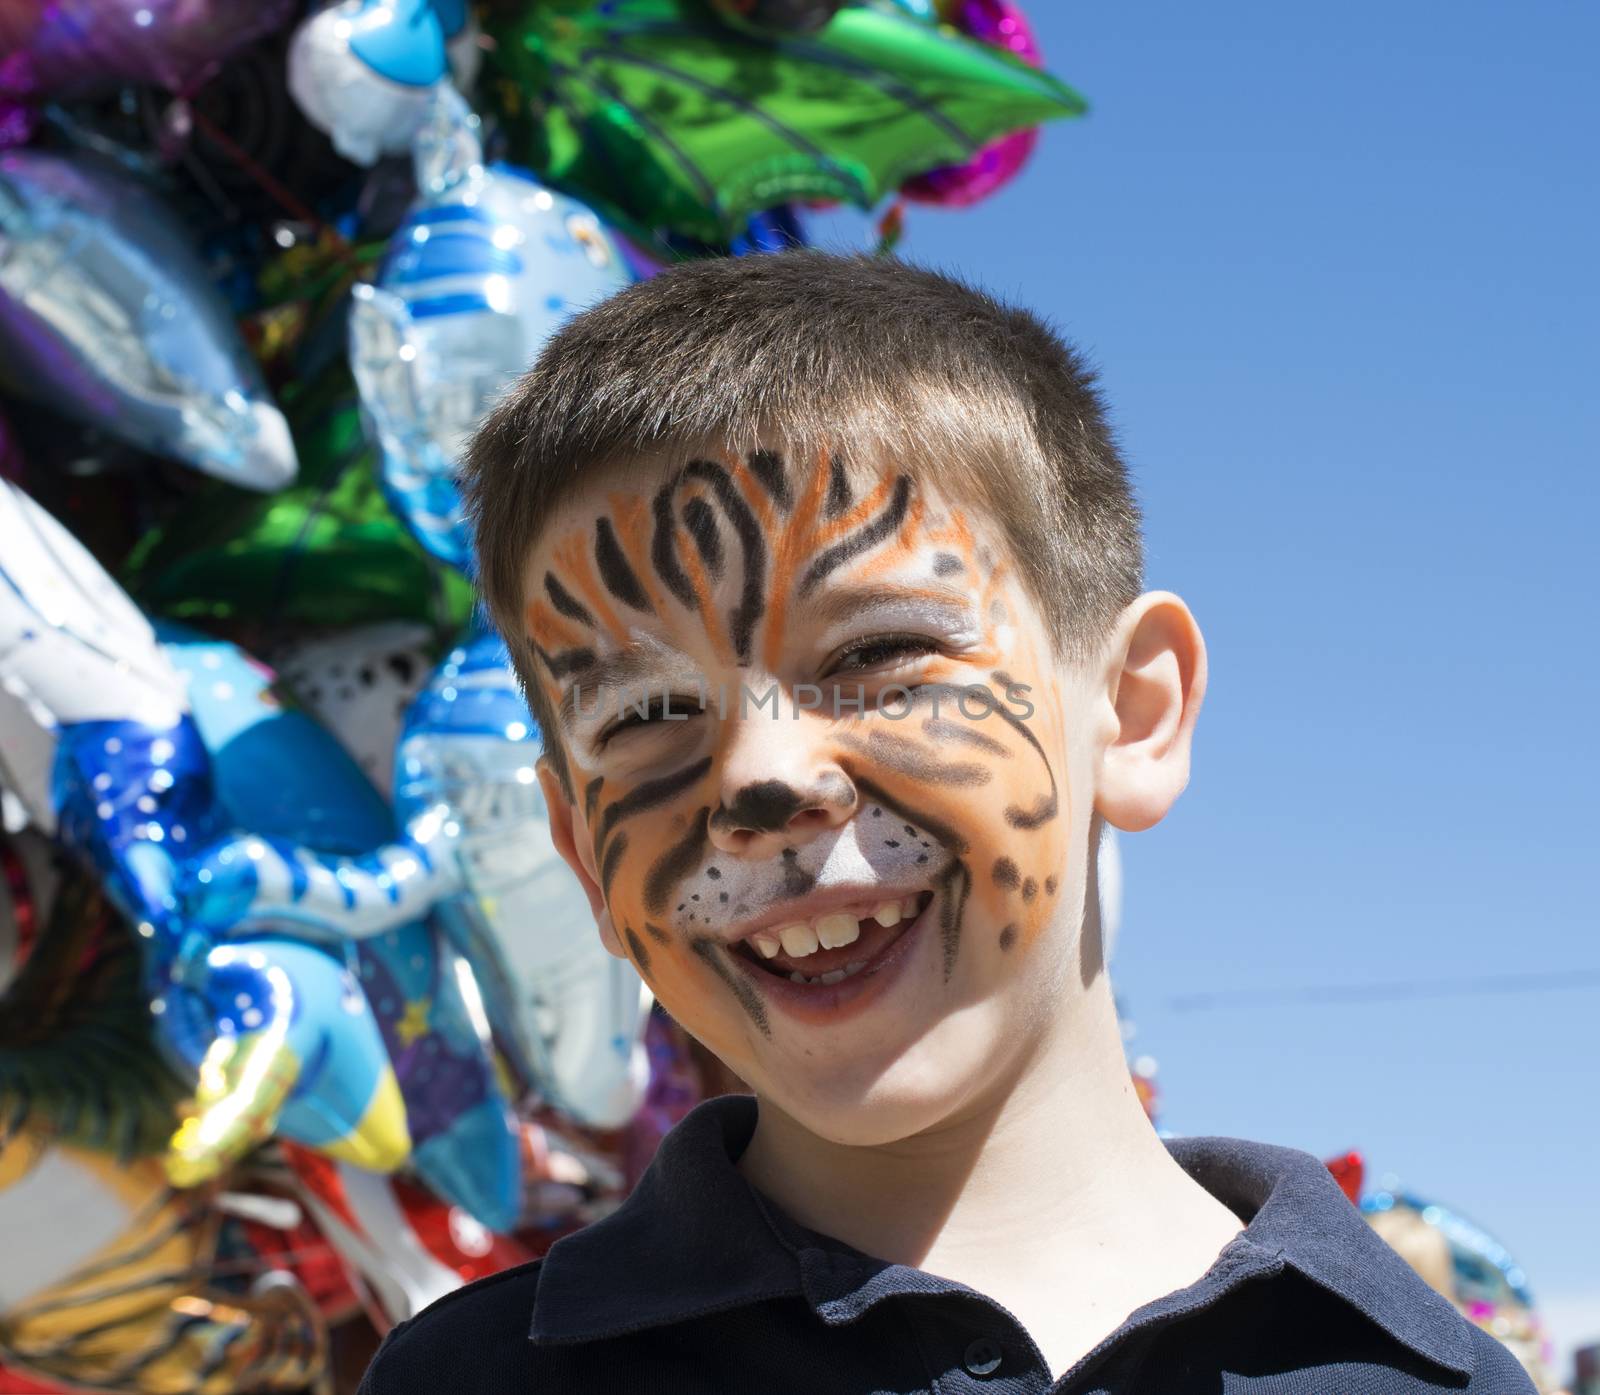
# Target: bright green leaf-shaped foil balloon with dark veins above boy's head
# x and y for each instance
(671, 121)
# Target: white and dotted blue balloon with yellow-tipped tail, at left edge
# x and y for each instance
(102, 748)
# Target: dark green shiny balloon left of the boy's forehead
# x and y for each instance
(327, 553)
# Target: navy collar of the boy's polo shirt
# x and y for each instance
(697, 1239)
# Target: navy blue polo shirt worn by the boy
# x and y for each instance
(700, 1284)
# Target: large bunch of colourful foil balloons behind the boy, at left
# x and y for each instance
(297, 1001)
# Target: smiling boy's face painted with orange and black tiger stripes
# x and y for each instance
(815, 727)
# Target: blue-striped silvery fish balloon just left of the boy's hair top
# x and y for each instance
(479, 276)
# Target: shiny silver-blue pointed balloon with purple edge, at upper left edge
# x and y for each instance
(108, 316)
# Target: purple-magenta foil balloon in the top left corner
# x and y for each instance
(71, 47)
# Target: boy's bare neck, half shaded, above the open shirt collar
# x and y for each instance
(1054, 1183)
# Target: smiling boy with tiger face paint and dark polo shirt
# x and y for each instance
(823, 577)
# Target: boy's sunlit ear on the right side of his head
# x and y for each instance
(1154, 686)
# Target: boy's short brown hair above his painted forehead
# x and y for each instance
(855, 354)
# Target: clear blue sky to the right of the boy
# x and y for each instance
(1338, 266)
